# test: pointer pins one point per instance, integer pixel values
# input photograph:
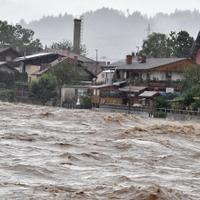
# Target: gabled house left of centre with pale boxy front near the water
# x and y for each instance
(76, 77)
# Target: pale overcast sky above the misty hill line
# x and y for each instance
(14, 10)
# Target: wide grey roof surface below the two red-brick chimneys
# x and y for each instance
(150, 63)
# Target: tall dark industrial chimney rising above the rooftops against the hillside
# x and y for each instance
(77, 35)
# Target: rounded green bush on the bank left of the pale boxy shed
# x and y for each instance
(45, 88)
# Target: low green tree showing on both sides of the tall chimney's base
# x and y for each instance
(67, 45)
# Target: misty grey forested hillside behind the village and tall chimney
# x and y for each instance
(112, 32)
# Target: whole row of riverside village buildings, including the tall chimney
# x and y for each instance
(134, 80)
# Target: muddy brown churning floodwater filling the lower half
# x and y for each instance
(53, 153)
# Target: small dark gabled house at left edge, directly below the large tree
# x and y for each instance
(8, 54)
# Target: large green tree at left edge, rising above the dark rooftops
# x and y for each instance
(18, 38)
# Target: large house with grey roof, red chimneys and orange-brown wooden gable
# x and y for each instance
(155, 73)
